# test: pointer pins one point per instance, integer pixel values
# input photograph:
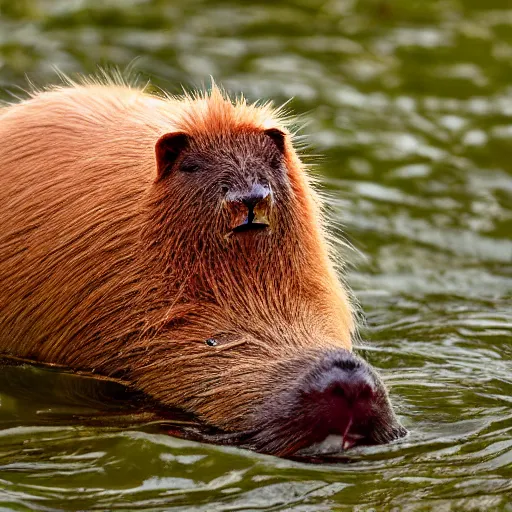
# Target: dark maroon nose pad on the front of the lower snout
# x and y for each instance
(340, 389)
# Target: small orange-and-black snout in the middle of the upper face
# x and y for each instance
(250, 209)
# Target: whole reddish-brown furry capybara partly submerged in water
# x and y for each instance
(177, 243)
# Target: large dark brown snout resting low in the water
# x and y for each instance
(339, 397)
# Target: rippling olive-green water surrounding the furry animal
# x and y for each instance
(409, 104)
